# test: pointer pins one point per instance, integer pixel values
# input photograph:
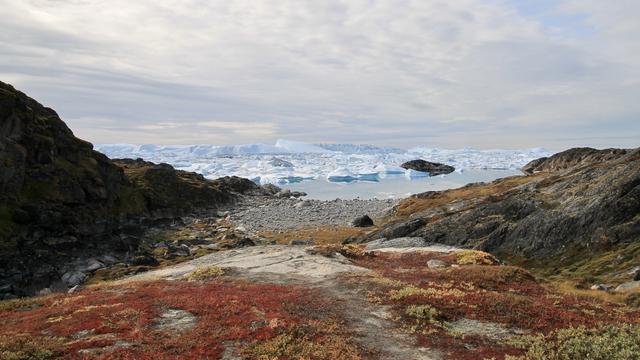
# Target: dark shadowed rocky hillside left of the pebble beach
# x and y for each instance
(60, 199)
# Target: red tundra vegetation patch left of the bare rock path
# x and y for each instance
(258, 320)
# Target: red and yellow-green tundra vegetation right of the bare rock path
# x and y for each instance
(472, 310)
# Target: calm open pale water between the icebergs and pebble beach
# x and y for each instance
(394, 186)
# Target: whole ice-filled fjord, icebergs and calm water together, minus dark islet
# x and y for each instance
(328, 171)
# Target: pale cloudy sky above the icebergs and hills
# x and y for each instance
(451, 73)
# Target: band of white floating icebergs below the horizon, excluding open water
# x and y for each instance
(289, 161)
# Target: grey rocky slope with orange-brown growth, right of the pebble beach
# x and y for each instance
(586, 200)
